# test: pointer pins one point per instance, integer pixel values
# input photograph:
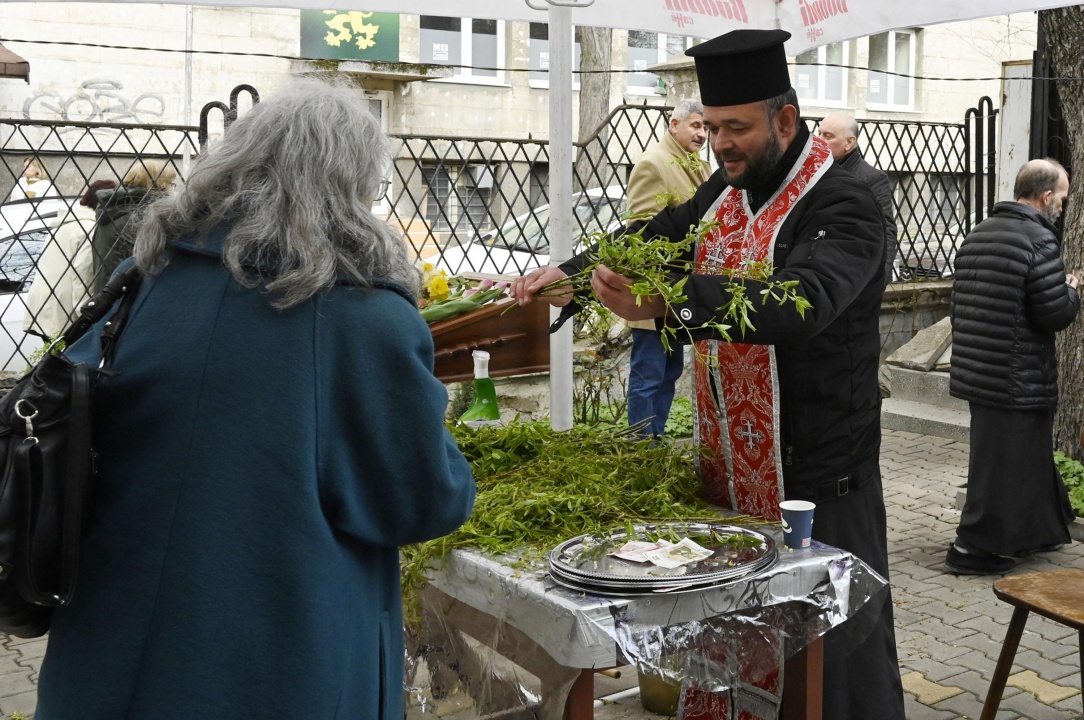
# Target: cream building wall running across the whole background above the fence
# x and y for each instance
(132, 85)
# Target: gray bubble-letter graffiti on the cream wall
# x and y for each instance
(98, 100)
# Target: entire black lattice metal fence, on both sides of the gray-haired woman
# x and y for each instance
(466, 204)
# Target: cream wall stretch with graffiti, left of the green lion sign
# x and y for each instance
(134, 86)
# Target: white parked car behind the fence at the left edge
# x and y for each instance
(27, 227)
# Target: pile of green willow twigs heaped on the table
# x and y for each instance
(538, 487)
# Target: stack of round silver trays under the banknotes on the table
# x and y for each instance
(584, 563)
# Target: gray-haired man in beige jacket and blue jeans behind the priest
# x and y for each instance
(668, 174)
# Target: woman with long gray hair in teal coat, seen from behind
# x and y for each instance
(273, 434)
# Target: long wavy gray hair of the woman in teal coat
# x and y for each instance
(293, 178)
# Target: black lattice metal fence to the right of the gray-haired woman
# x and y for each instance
(481, 204)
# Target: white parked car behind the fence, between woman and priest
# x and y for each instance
(523, 243)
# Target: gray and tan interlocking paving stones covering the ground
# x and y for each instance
(949, 629)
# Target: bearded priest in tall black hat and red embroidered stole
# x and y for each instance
(778, 197)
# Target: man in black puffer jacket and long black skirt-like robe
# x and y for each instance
(1011, 297)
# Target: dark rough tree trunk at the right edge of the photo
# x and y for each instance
(1065, 37)
